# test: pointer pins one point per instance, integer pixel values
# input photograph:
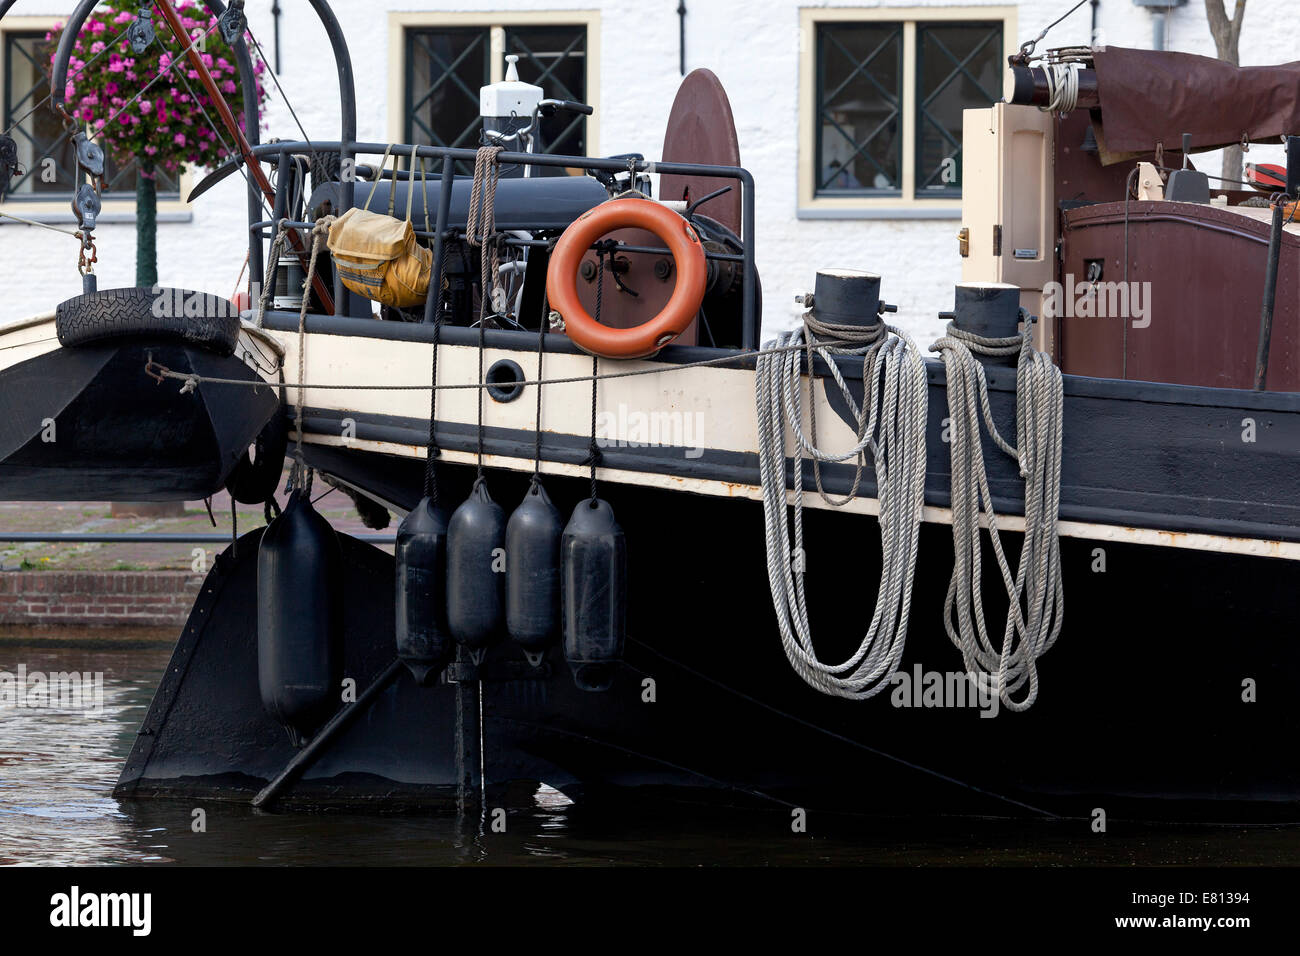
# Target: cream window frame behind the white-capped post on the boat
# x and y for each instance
(496, 23)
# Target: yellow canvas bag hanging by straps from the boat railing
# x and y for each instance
(378, 256)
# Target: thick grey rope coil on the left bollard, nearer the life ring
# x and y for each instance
(891, 423)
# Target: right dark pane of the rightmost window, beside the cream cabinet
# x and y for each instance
(959, 67)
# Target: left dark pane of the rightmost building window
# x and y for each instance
(859, 110)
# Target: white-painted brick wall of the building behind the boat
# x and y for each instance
(752, 45)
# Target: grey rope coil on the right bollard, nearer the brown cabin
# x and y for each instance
(1035, 594)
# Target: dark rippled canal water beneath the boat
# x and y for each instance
(58, 768)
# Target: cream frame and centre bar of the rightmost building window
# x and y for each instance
(905, 205)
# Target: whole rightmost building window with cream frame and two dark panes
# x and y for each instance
(883, 92)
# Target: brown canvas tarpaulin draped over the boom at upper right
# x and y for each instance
(1156, 97)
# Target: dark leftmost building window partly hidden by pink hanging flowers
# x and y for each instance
(45, 153)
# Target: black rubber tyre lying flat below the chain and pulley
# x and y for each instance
(158, 314)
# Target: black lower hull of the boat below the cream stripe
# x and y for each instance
(1167, 697)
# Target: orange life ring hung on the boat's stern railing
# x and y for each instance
(687, 296)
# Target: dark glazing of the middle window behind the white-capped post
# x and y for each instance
(445, 67)
